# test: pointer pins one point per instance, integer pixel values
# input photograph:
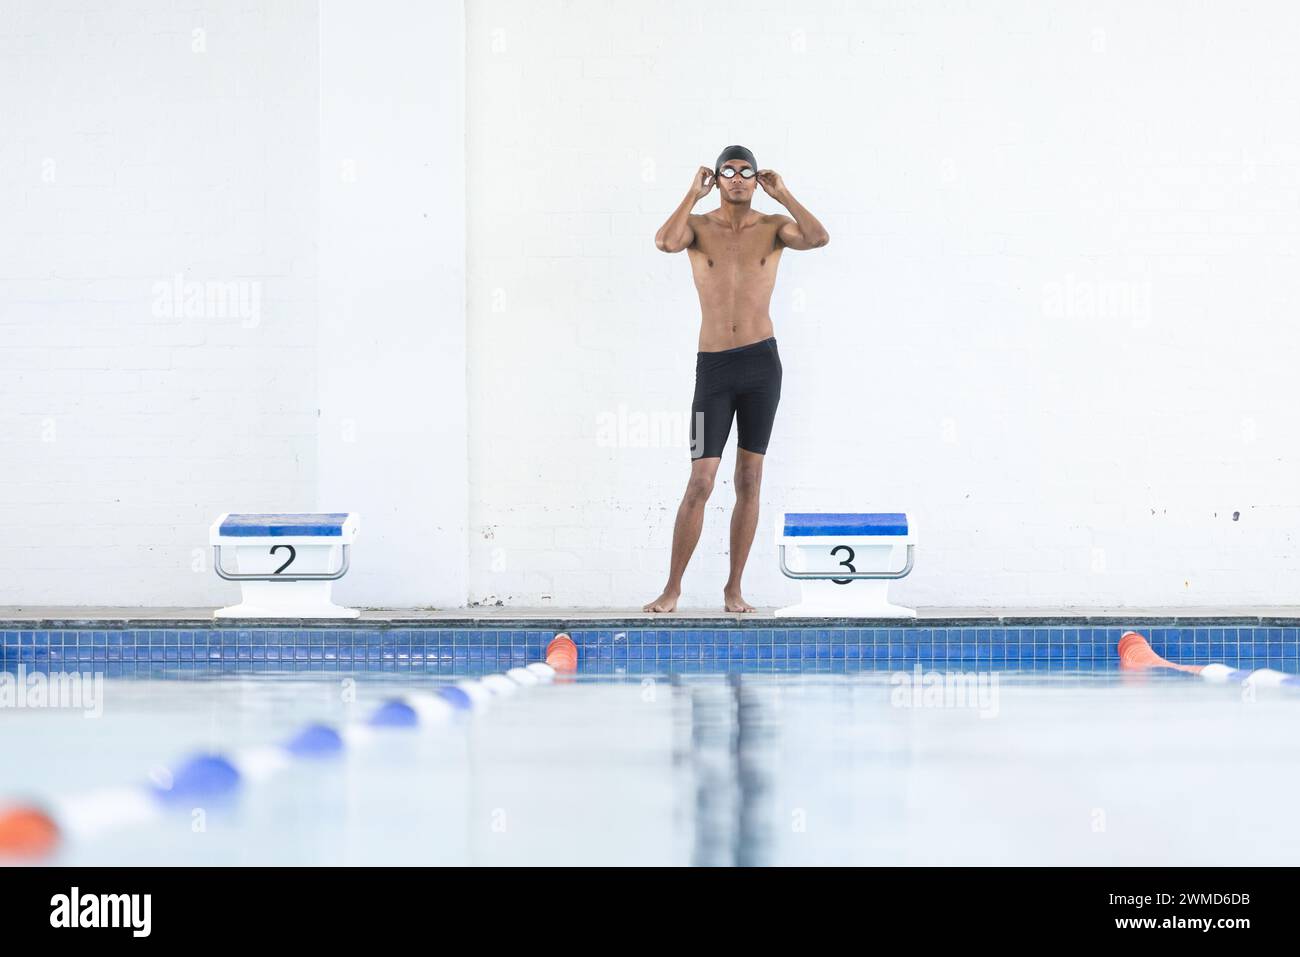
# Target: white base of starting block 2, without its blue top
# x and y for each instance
(276, 560)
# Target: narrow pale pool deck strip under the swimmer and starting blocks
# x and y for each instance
(505, 617)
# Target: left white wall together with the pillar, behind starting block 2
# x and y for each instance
(240, 148)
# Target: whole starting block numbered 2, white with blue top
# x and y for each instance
(285, 564)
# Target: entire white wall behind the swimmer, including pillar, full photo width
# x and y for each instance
(1056, 322)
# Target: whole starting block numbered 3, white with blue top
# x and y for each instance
(844, 562)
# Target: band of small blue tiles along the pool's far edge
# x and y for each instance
(155, 651)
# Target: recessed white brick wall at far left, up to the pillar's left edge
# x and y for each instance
(145, 142)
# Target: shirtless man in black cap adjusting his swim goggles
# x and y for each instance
(734, 257)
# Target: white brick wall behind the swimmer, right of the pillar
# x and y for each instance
(983, 172)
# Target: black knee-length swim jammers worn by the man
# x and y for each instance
(744, 382)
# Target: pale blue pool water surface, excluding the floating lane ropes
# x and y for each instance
(1089, 768)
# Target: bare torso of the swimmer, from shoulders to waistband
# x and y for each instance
(735, 275)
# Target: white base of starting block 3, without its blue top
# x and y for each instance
(824, 597)
